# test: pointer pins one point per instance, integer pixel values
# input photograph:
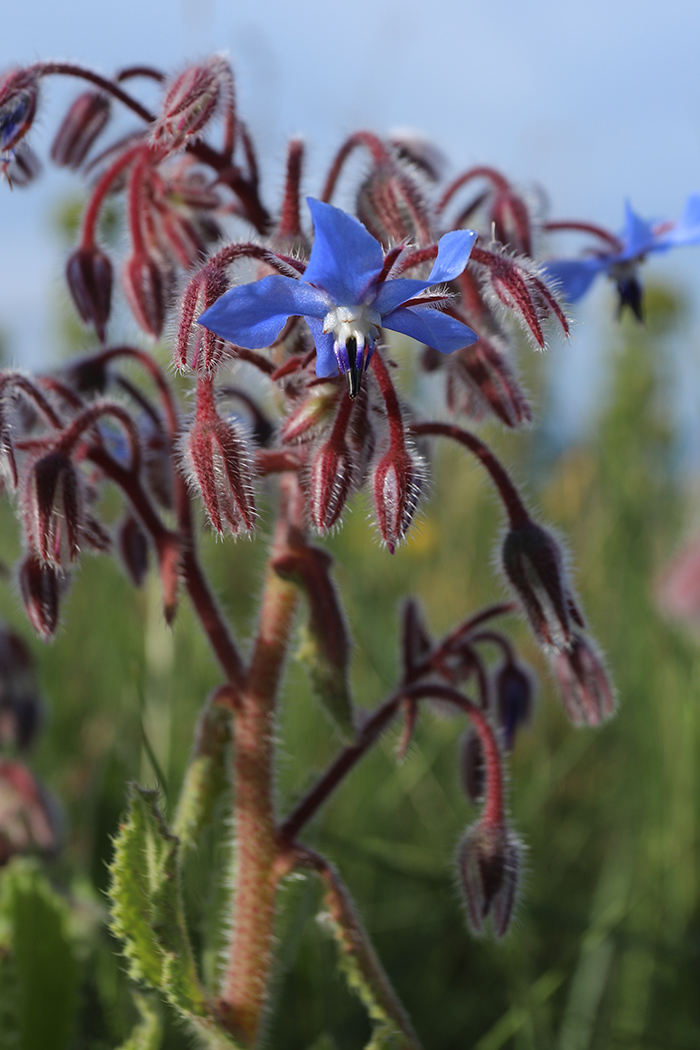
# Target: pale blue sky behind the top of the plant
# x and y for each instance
(592, 102)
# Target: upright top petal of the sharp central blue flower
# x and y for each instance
(346, 259)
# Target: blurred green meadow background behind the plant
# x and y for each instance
(606, 949)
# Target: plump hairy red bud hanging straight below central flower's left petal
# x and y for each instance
(220, 467)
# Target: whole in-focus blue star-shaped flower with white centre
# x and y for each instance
(345, 299)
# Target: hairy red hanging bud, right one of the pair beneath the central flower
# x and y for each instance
(397, 486)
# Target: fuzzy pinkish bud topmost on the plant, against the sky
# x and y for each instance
(192, 101)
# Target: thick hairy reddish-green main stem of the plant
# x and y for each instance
(246, 981)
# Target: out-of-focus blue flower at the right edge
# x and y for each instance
(639, 240)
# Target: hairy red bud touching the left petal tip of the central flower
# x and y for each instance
(197, 347)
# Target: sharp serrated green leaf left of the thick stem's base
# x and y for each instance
(147, 913)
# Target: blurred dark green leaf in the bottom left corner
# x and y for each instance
(38, 964)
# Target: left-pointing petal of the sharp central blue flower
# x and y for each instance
(253, 316)
